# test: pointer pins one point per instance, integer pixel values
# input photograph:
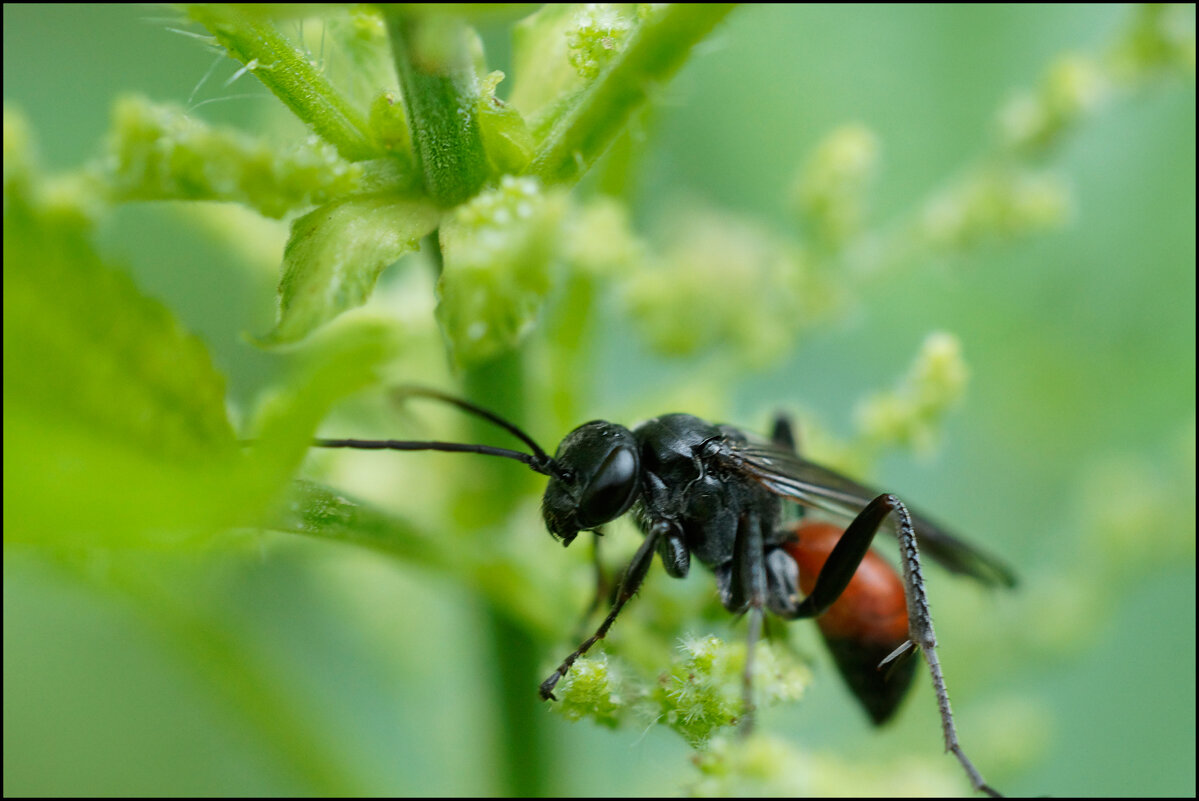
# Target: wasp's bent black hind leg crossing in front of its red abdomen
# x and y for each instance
(840, 569)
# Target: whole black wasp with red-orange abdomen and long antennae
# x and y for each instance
(715, 493)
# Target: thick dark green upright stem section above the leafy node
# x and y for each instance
(442, 100)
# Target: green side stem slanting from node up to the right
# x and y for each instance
(654, 55)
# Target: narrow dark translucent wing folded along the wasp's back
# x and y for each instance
(794, 478)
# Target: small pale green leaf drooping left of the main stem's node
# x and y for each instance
(336, 254)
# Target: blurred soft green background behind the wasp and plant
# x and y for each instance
(1073, 454)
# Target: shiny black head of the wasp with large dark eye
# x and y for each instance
(597, 479)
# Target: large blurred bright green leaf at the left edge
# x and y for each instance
(107, 401)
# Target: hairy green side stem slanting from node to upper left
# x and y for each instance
(291, 76)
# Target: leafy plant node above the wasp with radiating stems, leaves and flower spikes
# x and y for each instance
(466, 141)
